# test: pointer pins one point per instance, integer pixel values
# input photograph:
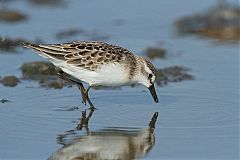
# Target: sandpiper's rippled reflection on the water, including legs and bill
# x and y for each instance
(107, 144)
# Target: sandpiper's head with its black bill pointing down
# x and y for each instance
(147, 76)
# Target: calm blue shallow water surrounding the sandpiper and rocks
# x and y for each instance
(197, 119)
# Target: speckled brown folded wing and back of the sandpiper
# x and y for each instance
(88, 55)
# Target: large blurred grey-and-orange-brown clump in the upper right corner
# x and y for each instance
(220, 22)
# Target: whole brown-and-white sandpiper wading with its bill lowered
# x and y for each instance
(98, 64)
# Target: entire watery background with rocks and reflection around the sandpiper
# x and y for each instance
(194, 46)
